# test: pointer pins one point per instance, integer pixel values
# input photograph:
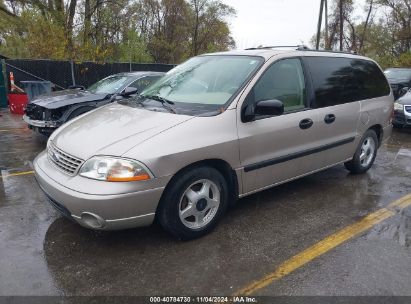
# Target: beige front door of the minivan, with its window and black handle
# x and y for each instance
(278, 148)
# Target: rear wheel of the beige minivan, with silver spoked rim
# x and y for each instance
(365, 154)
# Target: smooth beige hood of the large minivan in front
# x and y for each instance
(112, 130)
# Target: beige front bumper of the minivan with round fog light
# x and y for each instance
(97, 211)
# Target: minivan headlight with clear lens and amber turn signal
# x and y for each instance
(113, 169)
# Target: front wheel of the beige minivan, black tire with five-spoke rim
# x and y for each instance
(193, 203)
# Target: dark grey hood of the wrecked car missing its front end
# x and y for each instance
(67, 97)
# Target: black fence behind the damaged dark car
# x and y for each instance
(63, 74)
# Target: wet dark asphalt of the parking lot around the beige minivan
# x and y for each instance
(44, 254)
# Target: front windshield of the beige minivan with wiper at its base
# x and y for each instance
(204, 83)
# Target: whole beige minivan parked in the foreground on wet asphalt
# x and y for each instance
(216, 128)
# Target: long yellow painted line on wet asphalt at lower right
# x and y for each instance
(326, 245)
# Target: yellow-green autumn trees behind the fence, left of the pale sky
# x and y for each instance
(166, 31)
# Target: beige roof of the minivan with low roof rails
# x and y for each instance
(268, 53)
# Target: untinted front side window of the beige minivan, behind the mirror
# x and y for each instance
(284, 81)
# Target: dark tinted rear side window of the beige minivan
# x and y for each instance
(342, 80)
